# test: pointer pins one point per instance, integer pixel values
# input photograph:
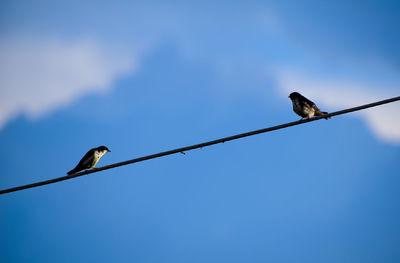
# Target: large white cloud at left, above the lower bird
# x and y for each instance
(40, 75)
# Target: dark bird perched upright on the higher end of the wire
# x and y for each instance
(304, 107)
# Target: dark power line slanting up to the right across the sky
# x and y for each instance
(196, 146)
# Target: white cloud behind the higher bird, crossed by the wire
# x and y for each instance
(383, 120)
